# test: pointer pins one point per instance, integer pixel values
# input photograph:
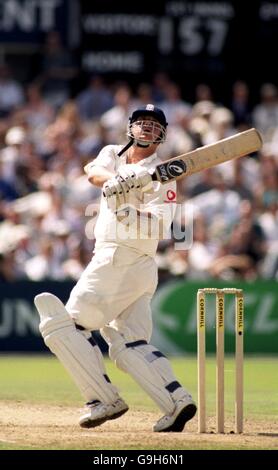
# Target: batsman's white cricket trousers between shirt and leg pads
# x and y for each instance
(116, 288)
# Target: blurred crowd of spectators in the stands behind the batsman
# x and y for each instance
(48, 133)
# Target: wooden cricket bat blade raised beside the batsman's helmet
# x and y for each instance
(236, 146)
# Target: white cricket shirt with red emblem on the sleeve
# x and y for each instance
(141, 236)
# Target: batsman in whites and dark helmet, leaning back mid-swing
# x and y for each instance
(114, 292)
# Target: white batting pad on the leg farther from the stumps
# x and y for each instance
(78, 356)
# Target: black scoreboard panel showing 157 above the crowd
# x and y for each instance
(212, 41)
